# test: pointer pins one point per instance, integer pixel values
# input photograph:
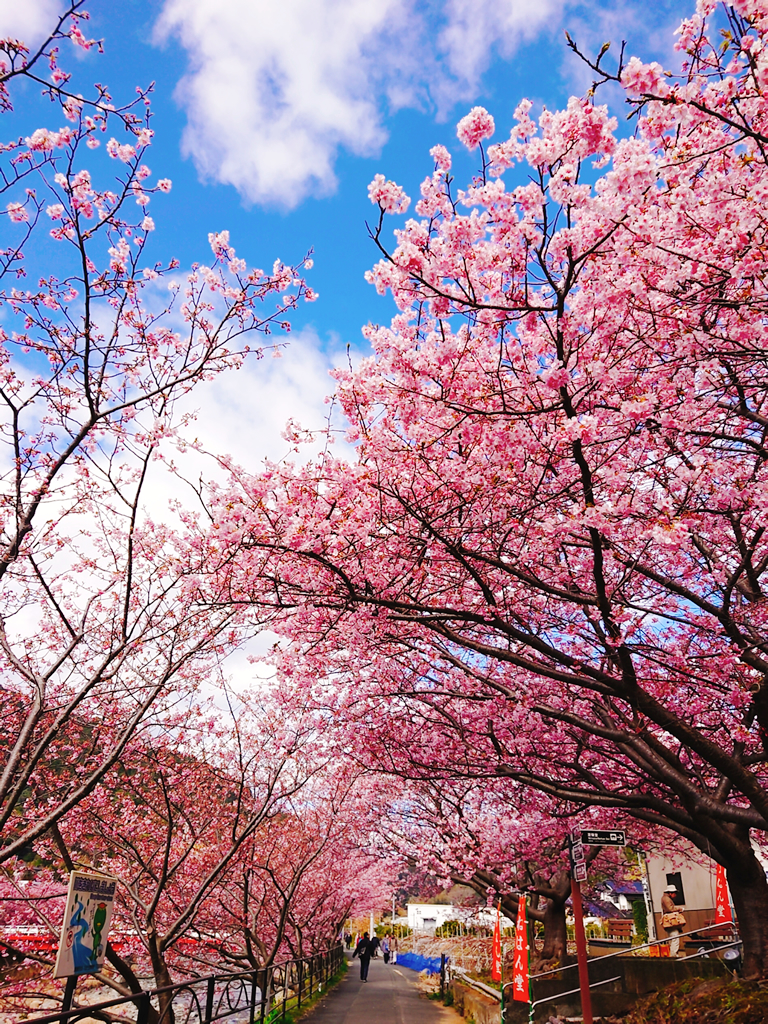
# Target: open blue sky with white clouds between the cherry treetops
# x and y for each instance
(272, 118)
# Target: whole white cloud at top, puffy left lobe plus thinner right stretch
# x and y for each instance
(274, 91)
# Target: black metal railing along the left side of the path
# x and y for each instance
(261, 997)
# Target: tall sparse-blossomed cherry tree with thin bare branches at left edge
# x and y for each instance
(101, 628)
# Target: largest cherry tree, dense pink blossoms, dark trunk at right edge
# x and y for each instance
(553, 531)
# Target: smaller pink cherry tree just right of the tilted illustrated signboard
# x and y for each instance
(174, 823)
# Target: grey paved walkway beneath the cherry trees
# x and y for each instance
(390, 997)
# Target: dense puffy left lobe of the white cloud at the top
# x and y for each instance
(274, 90)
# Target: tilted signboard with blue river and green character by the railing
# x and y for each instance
(87, 925)
